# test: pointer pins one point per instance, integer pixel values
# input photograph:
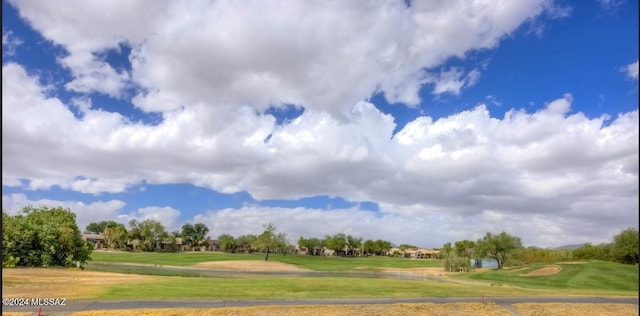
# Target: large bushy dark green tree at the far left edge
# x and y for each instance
(42, 237)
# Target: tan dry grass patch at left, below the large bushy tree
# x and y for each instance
(67, 283)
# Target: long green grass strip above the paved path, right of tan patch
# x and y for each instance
(302, 288)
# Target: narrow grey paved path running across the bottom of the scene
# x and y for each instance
(85, 305)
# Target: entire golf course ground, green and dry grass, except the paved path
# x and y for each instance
(561, 279)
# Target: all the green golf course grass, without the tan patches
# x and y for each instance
(593, 278)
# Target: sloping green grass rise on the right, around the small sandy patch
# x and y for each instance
(592, 277)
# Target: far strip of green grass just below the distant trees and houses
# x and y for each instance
(315, 263)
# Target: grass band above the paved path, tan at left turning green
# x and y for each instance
(77, 284)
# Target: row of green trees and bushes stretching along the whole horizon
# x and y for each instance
(50, 237)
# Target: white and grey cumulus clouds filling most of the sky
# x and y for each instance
(211, 69)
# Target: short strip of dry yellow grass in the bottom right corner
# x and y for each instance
(531, 309)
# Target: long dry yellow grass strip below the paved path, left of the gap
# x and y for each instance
(322, 310)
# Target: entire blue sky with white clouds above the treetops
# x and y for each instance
(418, 122)
